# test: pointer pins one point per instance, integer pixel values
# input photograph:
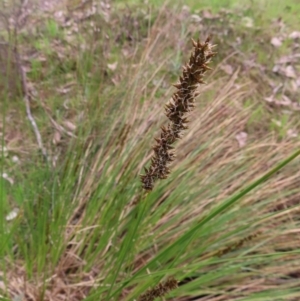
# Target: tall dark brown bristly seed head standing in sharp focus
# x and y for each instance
(181, 103)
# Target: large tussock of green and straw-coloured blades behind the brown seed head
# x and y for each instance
(78, 221)
